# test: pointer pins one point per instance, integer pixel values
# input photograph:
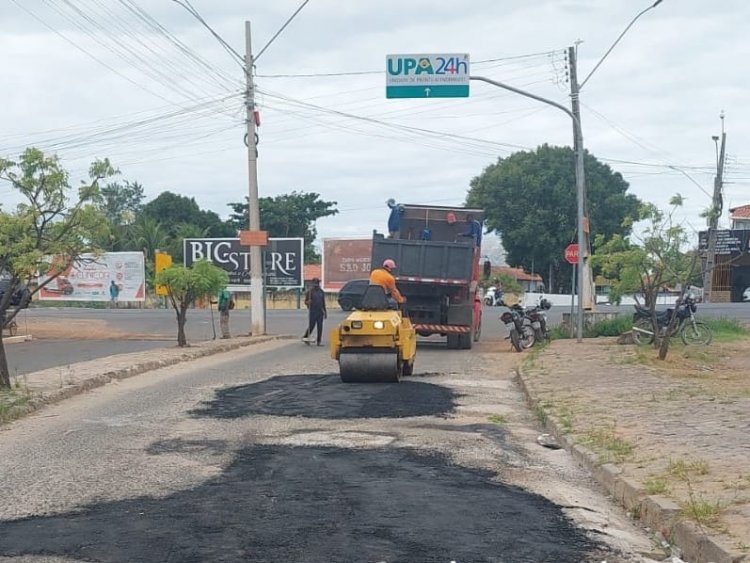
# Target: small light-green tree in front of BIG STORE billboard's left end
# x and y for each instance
(186, 285)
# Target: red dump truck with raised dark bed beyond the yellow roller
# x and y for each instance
(438, 271)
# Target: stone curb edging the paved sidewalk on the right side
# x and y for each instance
(656, 512)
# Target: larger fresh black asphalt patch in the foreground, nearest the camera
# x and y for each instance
(316, 504)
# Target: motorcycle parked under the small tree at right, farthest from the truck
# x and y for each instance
(691, 331)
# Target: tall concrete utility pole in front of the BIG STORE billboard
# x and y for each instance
(257, 303)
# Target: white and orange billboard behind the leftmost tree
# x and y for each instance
(89, 278)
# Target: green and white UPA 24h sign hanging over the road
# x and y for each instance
(427, 76)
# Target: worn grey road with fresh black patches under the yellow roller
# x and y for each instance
(262, 454)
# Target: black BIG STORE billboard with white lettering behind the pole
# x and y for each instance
(283, 260)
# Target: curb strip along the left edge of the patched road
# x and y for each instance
(41, 397)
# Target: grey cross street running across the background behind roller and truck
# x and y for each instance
(157, 328)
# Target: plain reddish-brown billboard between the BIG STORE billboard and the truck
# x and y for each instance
(345, 260)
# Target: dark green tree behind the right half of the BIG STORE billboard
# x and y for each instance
(288, 215)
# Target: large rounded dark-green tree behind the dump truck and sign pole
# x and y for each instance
(529, 199)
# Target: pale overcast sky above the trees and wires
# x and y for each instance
(143, 83)
